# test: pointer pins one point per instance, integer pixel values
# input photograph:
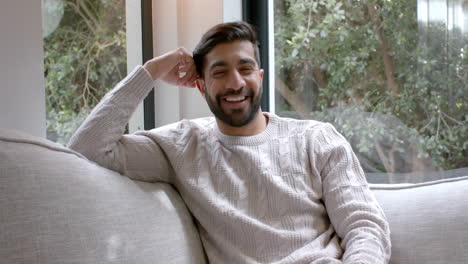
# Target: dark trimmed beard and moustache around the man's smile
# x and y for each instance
(236, 117)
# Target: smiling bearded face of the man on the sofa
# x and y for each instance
(232, 83)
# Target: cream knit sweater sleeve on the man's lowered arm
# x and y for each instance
(353, 210)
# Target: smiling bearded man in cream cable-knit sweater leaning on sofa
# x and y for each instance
(263, 189)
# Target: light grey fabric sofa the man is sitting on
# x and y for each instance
(58, 207)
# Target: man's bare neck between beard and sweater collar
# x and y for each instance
(256, 126)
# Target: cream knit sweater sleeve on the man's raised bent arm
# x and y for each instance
(101, 136)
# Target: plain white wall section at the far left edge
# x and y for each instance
(22, 95)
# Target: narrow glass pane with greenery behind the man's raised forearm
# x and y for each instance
(84, 57)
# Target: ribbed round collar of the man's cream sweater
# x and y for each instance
(258, 139)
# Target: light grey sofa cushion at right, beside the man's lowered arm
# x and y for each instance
(428, 221)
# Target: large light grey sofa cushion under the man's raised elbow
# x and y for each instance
(57, 207)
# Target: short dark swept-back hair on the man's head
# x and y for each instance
(224, 33)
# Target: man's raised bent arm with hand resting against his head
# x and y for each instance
(100, 138)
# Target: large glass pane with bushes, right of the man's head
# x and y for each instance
(391, 76)
